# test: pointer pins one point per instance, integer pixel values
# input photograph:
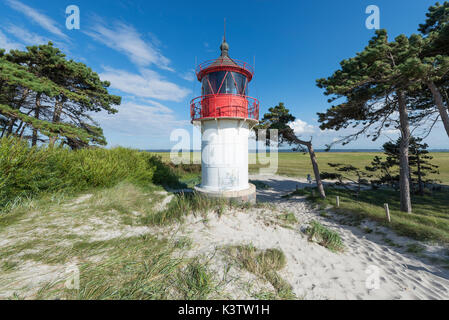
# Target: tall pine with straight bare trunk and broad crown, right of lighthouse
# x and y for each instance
(375, 91)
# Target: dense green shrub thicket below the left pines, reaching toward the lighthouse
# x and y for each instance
(27, 171)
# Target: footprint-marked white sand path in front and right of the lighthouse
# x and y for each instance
(368, 269)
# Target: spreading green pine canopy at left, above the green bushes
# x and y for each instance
(40, 89)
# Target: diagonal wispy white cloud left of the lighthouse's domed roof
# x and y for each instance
(126, 39)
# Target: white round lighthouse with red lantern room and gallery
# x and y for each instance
(226, 114)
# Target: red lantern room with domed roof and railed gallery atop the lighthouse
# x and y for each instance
(224, 89)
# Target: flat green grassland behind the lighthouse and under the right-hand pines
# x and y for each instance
(430, 218)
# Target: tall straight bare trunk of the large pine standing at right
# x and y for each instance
(404, 175)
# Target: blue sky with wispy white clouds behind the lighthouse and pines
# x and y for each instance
(148, 49)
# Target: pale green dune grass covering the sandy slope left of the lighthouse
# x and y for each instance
(96, 232)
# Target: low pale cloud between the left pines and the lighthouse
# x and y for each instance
(141, 119)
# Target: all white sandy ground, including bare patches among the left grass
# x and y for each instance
(313, 271)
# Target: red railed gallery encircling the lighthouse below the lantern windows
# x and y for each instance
(224, 106)
